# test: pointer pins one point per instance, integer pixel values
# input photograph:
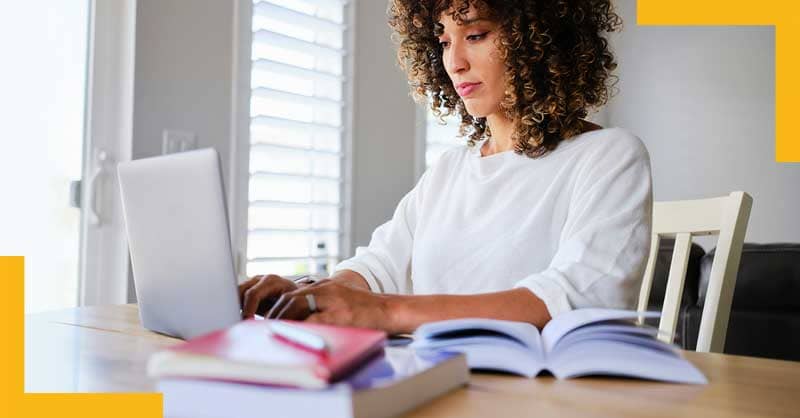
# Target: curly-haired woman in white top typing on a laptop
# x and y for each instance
(541, 212)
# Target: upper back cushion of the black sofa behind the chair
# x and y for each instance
(768, 278)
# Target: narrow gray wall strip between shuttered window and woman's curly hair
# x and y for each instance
(383, 124)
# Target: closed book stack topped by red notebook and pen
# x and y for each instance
(271, 368)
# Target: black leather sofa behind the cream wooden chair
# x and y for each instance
(765, 312)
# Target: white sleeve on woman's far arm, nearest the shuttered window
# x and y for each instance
(386, 262)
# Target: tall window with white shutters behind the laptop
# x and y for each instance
(299, 108)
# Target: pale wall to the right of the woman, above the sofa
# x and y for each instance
(703, 101)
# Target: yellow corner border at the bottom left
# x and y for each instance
(16, 403)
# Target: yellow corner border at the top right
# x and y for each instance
(784, 15)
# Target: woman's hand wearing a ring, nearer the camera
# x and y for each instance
(336, 304)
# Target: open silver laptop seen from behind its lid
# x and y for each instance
(177, 227)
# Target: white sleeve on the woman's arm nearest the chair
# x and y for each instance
(605, 241)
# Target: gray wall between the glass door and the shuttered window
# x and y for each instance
(184, 70)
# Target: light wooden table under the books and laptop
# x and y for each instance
(105, 349)
